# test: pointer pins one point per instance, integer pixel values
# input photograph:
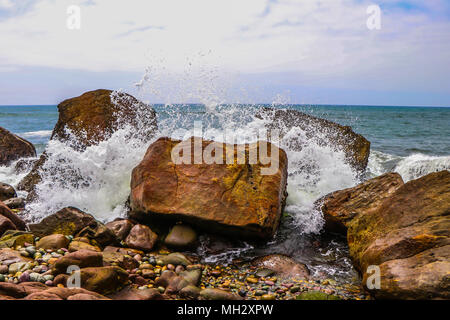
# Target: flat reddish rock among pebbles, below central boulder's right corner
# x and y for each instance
(283, 266)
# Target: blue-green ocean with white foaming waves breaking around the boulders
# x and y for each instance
(412, 141)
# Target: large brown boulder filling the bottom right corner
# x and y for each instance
(408, 238)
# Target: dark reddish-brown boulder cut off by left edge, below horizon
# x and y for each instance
(13, 147)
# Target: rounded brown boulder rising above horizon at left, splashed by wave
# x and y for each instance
(93, 117)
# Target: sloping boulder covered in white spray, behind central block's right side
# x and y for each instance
(324, 132)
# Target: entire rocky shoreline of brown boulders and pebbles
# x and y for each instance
(400, 228)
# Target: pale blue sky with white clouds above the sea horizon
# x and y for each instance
(219, 51)
